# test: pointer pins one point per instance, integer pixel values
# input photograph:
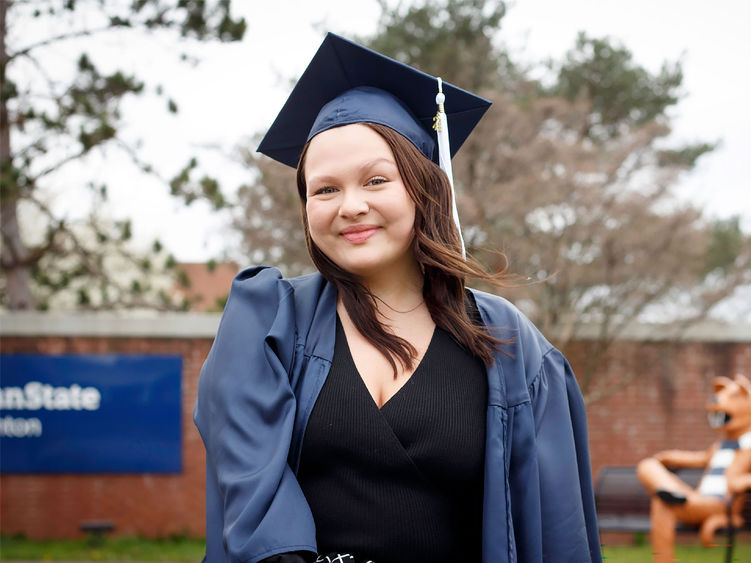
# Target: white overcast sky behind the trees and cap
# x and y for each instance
(237, 90)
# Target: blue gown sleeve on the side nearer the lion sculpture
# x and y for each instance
(568, 518)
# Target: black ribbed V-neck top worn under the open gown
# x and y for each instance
(403, 483)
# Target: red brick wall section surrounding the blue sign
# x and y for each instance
(53, 506)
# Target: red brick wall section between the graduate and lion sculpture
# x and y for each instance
(663, 407)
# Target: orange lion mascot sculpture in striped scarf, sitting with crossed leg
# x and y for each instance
(718, 500)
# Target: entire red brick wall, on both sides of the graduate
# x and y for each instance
(663, 407)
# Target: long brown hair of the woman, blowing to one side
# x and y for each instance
(437, 249)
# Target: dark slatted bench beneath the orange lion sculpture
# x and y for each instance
(622, 503)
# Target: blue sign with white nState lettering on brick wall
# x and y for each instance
(90, 414)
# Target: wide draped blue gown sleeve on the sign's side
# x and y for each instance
(245, 412)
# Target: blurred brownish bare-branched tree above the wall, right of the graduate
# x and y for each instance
(593, 226)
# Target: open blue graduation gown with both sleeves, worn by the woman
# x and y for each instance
(257, 388)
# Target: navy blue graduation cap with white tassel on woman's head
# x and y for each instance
(347, 83)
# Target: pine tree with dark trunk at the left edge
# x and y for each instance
(49, 123)
